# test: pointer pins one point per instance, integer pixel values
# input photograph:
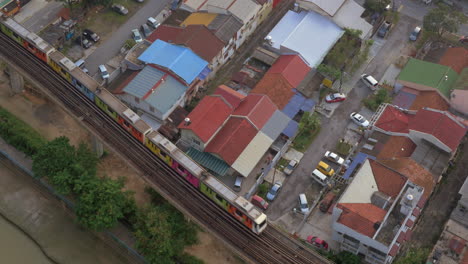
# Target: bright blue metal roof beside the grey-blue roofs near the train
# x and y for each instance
(180, 60)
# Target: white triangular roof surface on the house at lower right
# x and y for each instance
(362, 187)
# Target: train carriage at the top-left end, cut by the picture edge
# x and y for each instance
(32, 42)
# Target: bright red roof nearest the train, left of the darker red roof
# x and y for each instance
(207, 117)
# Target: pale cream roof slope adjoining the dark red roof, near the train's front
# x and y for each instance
(252, 154)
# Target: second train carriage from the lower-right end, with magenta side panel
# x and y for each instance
(174, 157)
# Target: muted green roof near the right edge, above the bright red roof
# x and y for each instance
(429, 74)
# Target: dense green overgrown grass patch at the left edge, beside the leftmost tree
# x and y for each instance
(19, 134)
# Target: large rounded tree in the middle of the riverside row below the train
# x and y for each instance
(101, 202)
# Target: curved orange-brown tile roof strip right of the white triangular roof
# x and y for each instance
(415, 173)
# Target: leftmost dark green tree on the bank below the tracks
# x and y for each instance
(53, 158)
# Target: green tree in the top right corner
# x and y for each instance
(443, 19)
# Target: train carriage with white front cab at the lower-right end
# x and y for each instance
(237, 206)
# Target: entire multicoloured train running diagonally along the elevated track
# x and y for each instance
(237, 206)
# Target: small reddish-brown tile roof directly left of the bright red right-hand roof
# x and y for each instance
(397, 146)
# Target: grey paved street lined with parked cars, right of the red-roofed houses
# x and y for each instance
(333, 129)
